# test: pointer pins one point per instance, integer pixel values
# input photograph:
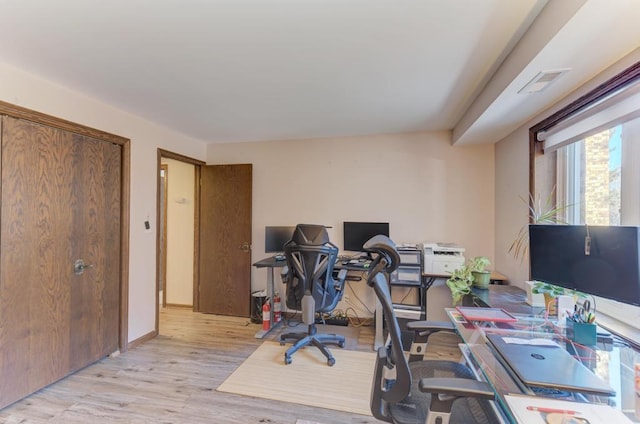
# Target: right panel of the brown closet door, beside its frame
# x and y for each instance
(96, 239)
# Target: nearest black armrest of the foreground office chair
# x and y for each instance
(449, 389)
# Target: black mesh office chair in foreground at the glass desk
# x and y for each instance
(418, 391)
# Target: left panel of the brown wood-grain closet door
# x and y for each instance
(34, 296)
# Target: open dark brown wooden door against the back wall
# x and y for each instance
(225, 240)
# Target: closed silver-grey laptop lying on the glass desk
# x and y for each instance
(548, 365)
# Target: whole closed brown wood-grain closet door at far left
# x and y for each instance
(60, 202)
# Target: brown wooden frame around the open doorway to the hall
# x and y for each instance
(196, 220)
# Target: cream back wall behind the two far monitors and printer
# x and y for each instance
(425, 188)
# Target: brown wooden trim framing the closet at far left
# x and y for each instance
(125, 143)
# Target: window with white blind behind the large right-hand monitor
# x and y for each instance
(588, 152)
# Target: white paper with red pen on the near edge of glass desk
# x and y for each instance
(540, 410)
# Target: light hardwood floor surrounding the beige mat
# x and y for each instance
(173, 379)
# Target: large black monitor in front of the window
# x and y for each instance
(598, 260)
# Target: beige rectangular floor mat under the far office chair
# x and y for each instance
(346, 386)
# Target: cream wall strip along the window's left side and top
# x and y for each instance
(512, 177)
